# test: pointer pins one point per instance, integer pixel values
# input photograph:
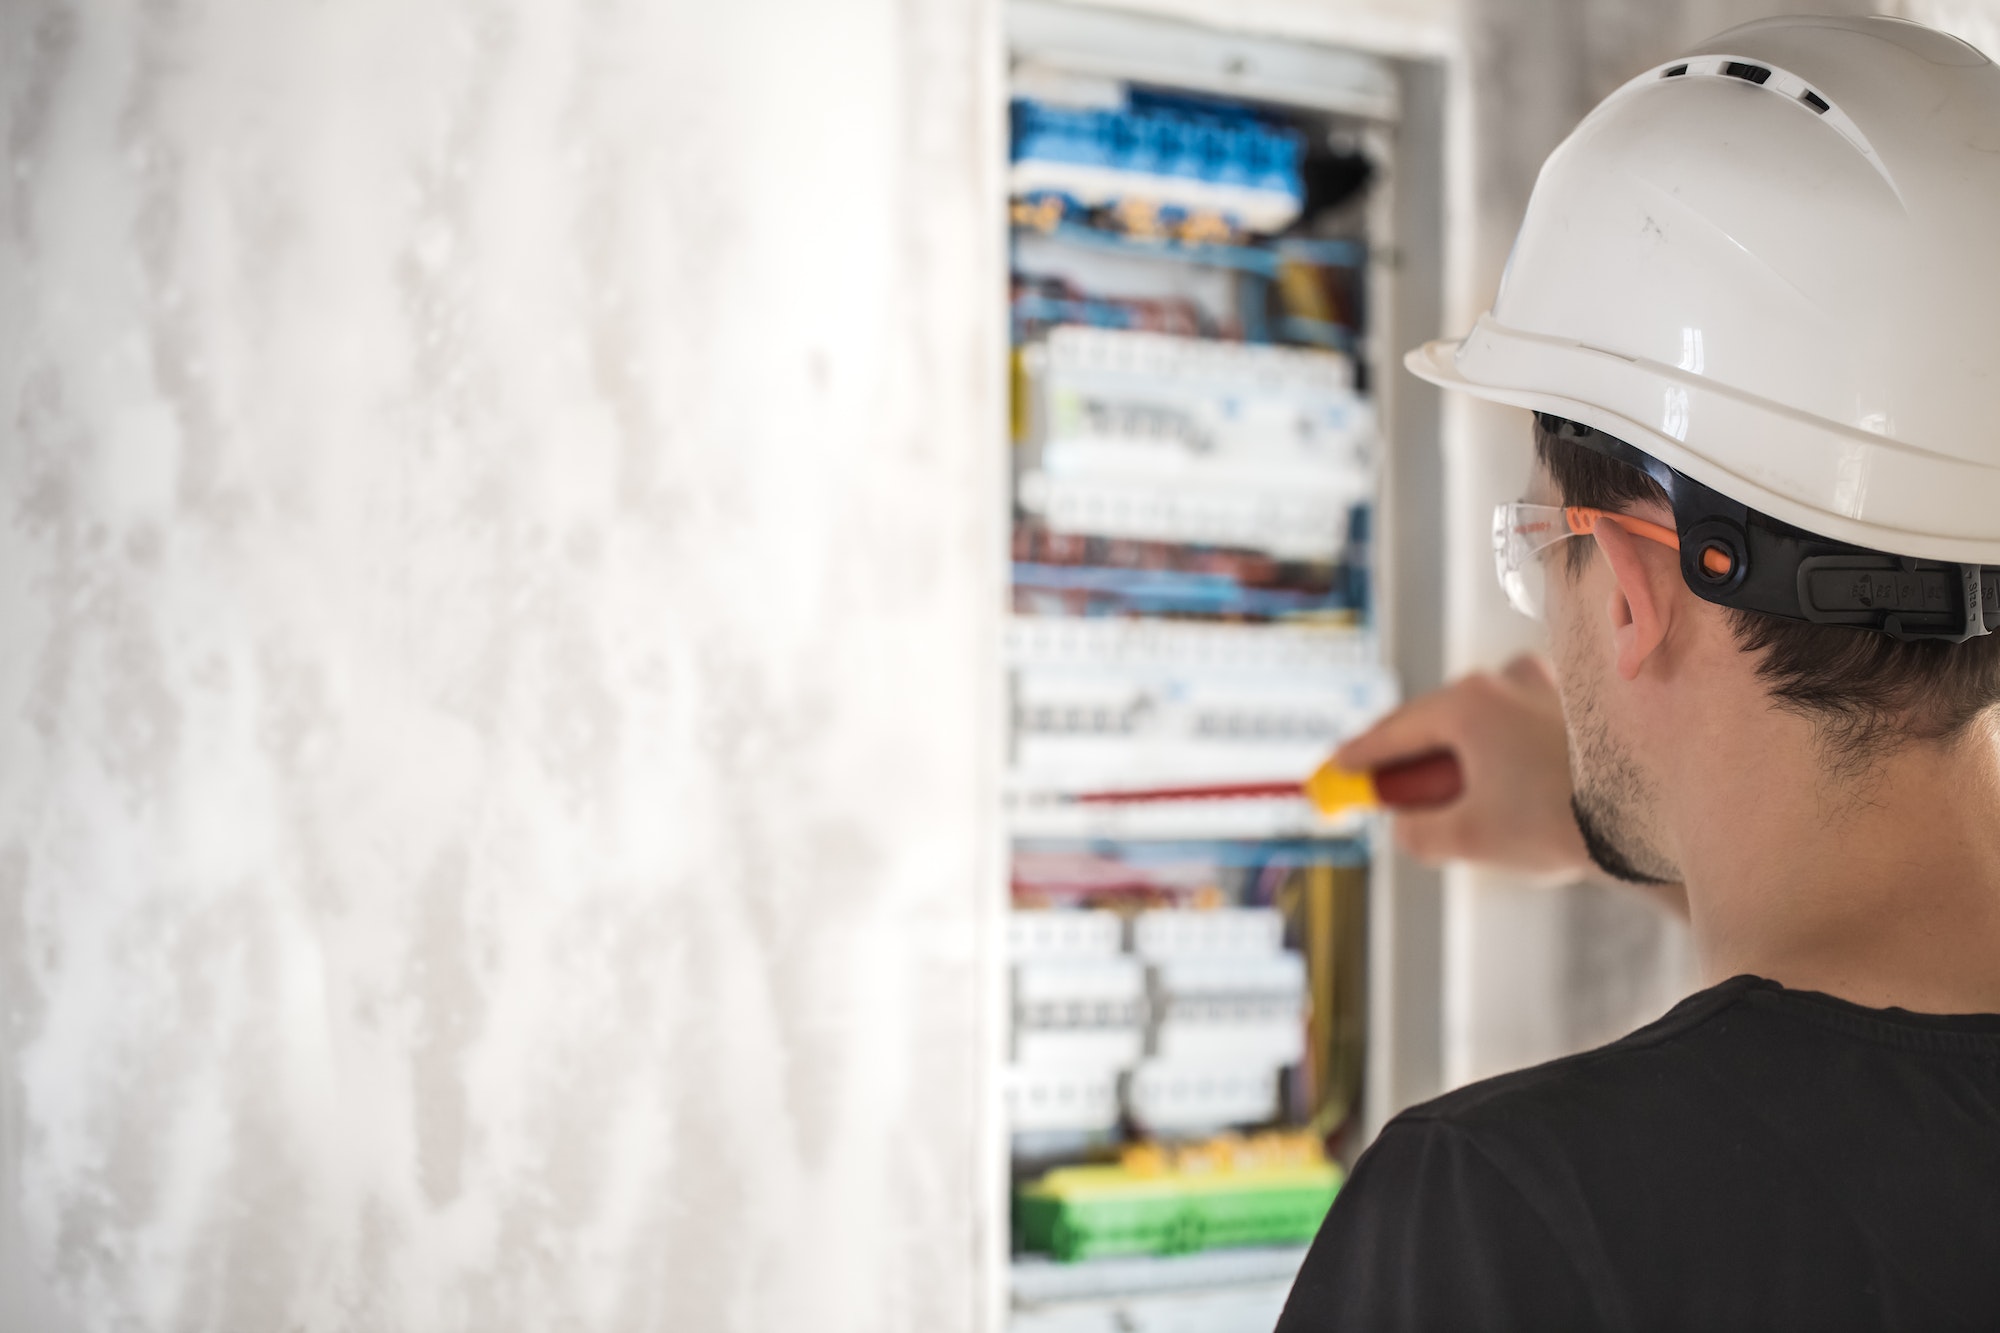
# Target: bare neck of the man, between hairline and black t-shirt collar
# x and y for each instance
(1881, 890)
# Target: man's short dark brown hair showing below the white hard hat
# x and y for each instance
(1865, 692)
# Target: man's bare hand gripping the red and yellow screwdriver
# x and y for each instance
(1507, 732)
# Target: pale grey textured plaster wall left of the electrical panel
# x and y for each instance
(499, 585)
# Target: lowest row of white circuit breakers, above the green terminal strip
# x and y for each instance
(1177, 1022)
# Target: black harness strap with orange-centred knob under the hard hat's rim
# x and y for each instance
(1773, 569)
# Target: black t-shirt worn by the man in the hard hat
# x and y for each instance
(1757, 1160)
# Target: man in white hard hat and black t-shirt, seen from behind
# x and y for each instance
(1757, 311)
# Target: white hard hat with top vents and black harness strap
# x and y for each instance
(1775, 267)
